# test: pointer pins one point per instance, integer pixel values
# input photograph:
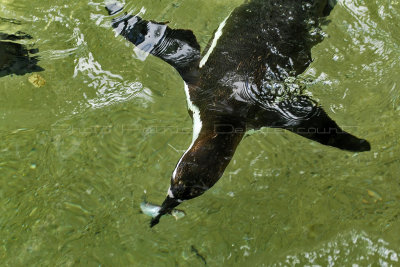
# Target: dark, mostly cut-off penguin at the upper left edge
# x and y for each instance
(16, 58)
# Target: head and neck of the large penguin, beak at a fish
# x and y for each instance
(199, 169)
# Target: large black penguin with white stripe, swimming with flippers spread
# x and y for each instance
(246, 80)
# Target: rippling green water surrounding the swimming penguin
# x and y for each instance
(77, 155)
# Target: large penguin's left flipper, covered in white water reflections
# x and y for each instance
(178, 47)
